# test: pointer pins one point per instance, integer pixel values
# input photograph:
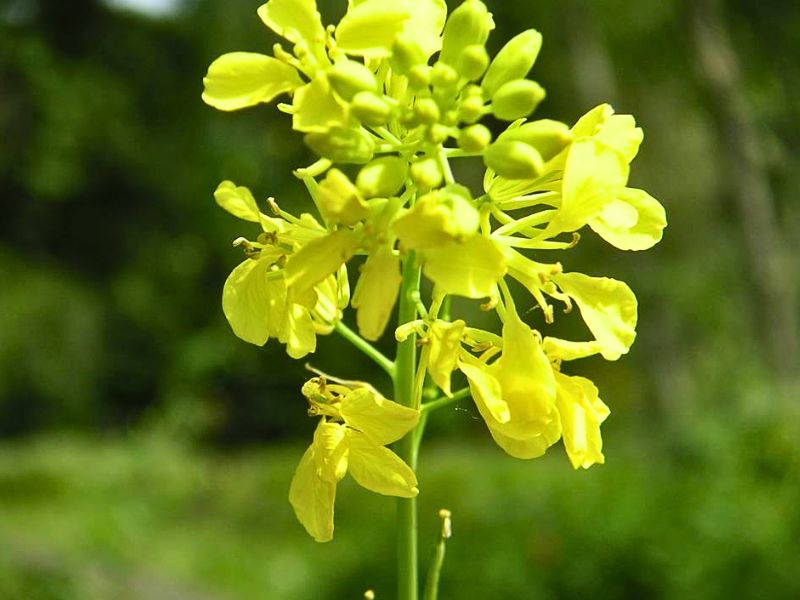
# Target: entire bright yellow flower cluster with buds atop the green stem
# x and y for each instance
(386, 99)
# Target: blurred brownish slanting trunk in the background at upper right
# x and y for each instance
(766, 258)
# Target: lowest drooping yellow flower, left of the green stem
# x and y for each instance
(350, 438)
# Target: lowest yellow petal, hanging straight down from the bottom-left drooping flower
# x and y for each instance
(312, 499)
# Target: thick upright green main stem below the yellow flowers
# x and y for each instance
(403, 379)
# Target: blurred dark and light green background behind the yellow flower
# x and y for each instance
(146, 452)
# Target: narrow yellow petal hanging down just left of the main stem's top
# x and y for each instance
(376, 292)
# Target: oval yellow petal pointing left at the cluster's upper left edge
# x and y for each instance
(241, 79)
